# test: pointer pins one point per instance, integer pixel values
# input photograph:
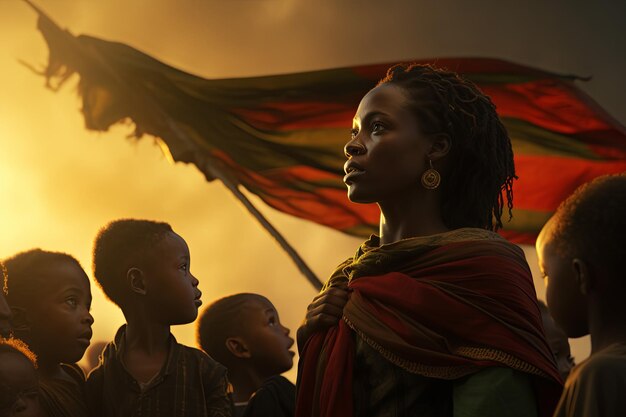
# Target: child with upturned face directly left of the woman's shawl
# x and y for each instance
(243, 332)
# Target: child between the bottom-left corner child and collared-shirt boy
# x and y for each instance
(49, 296)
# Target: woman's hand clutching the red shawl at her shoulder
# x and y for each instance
(325, 311)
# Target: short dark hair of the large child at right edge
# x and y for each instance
(591, 223)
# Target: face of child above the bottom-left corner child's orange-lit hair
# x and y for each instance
(61, 323)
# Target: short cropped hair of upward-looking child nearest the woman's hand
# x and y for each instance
(221, 320)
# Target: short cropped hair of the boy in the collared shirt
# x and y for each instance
(117, 246)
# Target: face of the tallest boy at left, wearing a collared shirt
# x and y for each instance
(172, 291)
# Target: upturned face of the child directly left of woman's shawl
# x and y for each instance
(268, 340)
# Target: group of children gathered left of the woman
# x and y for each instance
(143, 267)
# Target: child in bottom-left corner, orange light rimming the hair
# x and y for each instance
(19, 389)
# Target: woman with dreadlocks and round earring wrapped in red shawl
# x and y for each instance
(436, 316)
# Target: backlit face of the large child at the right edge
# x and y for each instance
(566, 303)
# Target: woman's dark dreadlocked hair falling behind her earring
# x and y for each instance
(481, 169)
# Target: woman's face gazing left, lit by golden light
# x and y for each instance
(387, 153)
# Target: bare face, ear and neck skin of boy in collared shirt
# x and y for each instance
(162, 276)
